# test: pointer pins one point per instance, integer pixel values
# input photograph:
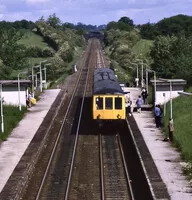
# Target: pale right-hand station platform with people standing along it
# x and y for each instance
(165, 156)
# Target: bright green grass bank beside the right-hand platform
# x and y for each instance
(182, 115)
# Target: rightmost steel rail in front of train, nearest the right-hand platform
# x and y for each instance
(125, 167)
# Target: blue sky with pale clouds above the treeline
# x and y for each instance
(95, 12)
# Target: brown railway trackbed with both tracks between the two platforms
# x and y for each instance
(76, 163)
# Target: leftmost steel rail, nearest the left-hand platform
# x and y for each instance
(59, 134)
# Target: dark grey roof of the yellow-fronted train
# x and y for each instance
(105, 82)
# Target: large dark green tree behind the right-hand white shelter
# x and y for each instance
(172, 57)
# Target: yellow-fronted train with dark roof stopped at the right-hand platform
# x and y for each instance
(108, 96)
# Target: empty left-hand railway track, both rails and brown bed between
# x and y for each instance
(62, 190)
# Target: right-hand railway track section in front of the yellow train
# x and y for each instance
(116, 183)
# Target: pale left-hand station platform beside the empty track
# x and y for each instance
(14, 147)
